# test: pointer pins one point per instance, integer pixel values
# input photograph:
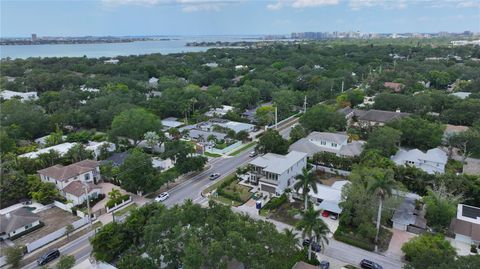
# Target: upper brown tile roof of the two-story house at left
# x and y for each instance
(60, 172)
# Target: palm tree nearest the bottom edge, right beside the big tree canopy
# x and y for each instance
(313, 228)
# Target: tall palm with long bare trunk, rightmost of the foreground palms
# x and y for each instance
(381, 186)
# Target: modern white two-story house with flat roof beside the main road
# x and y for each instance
(274, 172)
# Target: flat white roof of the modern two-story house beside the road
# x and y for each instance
(276, 163)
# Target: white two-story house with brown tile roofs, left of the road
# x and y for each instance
(75, 181)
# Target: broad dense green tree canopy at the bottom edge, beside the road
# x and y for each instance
(194, 237)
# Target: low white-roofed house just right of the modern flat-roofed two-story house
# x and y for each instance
(328, 197)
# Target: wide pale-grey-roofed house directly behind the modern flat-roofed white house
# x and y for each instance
(336, 143)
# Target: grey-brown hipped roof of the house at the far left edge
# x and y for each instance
(16, 219)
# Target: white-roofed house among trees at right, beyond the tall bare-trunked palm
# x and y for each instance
(433, 161)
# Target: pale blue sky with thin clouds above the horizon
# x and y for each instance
(21, 18)
